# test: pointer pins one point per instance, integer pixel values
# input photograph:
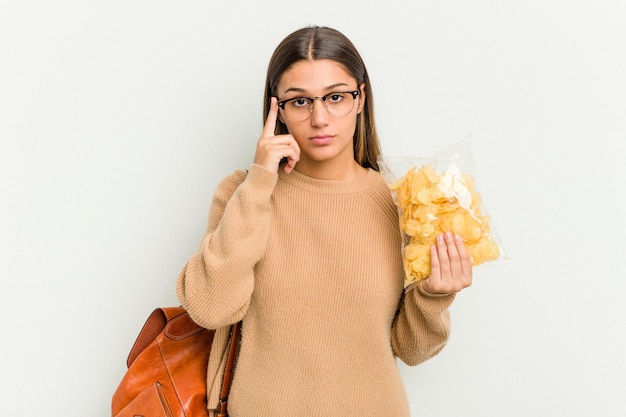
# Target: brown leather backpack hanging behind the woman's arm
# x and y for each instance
(167, 369)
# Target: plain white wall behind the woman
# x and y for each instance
(118, 118)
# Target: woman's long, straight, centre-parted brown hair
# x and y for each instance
(316, 42)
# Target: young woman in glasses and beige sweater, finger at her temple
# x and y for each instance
(304, 246)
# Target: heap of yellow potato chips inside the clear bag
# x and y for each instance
(430, 204)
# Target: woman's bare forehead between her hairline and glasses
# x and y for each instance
(315, 76)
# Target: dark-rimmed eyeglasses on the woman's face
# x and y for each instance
(338, 103)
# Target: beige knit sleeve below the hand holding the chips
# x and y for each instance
(422, 325)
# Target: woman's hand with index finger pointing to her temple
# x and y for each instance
(271, 149)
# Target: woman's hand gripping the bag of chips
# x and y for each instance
(450, 266)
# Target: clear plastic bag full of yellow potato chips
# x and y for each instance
(437, 195)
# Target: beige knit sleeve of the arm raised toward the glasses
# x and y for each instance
(216, 284)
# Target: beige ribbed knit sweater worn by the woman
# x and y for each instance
(314, 269)
